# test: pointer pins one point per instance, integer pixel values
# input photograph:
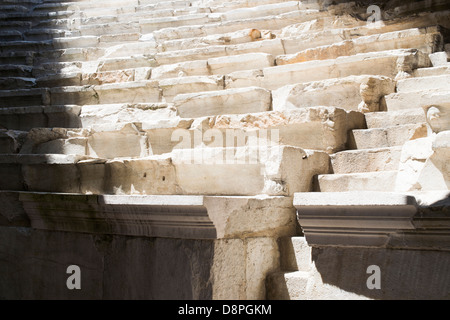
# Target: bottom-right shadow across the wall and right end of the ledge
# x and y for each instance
(407, 273)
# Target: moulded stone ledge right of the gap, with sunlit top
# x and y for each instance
(375, 219)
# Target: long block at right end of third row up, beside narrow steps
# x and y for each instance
(363, 93)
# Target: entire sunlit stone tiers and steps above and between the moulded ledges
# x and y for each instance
(139, 97)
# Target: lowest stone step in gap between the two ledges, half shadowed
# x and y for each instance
(288, 285)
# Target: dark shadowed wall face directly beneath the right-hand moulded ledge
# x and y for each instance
(405, 274)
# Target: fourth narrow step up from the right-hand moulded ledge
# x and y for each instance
(395, 118)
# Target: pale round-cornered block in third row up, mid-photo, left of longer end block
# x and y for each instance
(233, 101)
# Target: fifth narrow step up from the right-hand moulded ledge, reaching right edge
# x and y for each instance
(417, 99)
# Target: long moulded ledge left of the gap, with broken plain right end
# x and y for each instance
(176, 217)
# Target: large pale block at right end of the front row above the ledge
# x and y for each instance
(272, 171)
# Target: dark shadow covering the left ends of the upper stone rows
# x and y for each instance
(29, 58)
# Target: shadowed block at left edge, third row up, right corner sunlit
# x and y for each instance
(26, 118)
